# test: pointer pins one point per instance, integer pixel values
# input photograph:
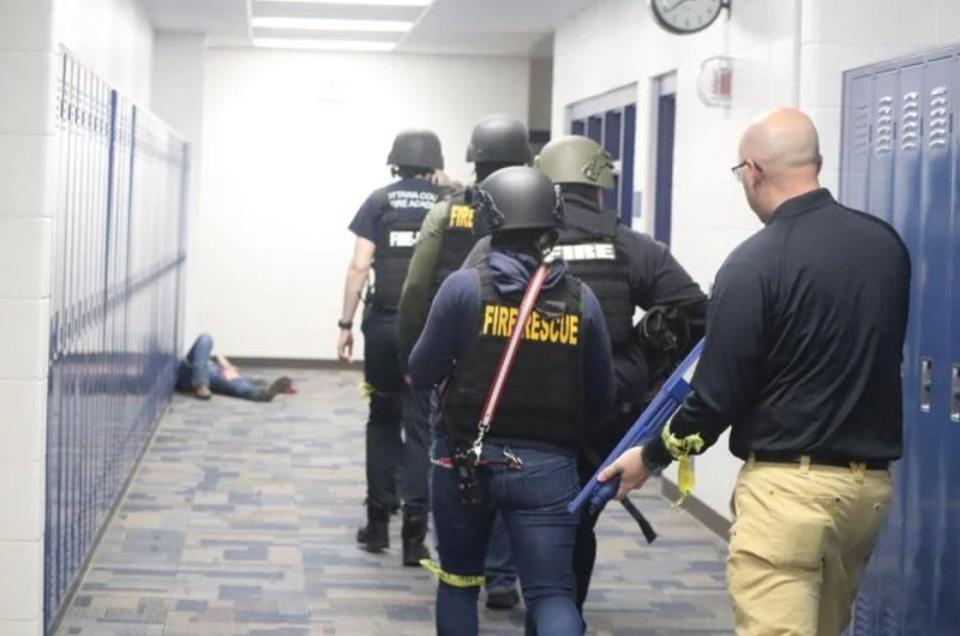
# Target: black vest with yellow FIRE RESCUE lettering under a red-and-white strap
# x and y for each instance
(543, 399)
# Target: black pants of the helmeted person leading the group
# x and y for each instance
(398, 434)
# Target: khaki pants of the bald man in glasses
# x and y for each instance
(799, 543)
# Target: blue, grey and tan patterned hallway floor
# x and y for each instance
(241, 521)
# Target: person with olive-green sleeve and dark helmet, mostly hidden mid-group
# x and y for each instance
(448, 233)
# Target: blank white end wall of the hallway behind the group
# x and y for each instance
(293, 142)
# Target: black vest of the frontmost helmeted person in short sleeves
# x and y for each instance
(396, 240)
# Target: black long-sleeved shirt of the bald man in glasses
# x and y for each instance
(805, 335)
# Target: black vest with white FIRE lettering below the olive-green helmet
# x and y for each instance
(588, 244)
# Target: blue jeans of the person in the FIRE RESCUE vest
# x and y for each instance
(532, 502)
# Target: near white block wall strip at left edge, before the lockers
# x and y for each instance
(27, 181)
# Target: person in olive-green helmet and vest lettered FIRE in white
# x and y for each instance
(626, 270)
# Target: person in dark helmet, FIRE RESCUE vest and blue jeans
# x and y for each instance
(524, 467)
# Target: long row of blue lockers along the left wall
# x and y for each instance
(115, 309)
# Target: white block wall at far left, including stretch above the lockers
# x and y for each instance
(114, 38)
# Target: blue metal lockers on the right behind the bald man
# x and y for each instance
(900, 162)
